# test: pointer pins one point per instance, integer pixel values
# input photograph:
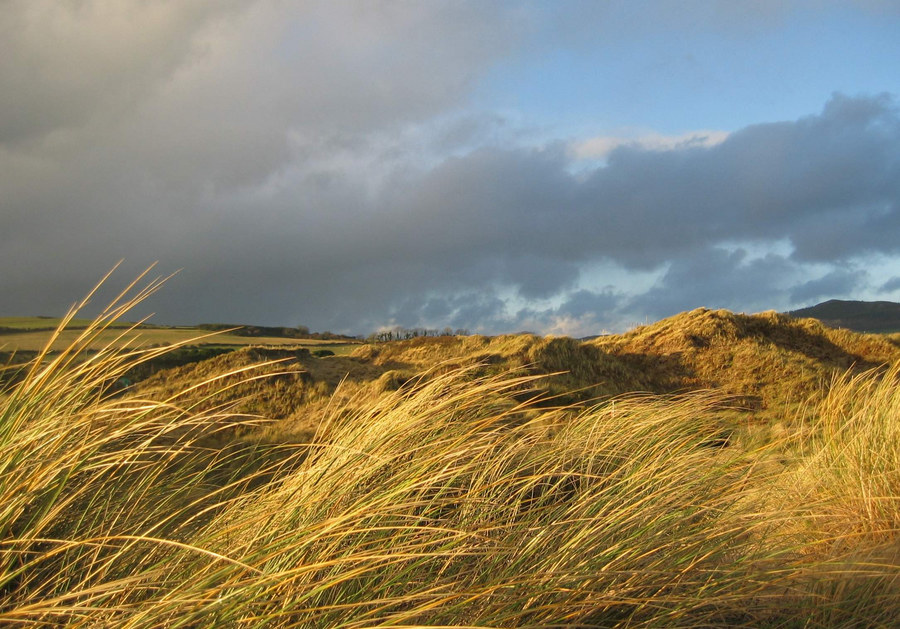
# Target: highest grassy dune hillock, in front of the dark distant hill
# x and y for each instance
(771, 362)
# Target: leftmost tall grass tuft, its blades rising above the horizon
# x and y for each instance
(97, 489)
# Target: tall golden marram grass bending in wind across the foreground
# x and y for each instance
(445, 503)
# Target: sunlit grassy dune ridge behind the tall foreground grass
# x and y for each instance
(769, 368)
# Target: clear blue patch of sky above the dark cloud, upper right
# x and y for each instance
(673, 80)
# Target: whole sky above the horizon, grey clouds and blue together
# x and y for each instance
(559, 167)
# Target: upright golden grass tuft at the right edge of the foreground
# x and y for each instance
(848, 500)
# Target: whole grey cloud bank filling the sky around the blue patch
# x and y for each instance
(321, 168)
